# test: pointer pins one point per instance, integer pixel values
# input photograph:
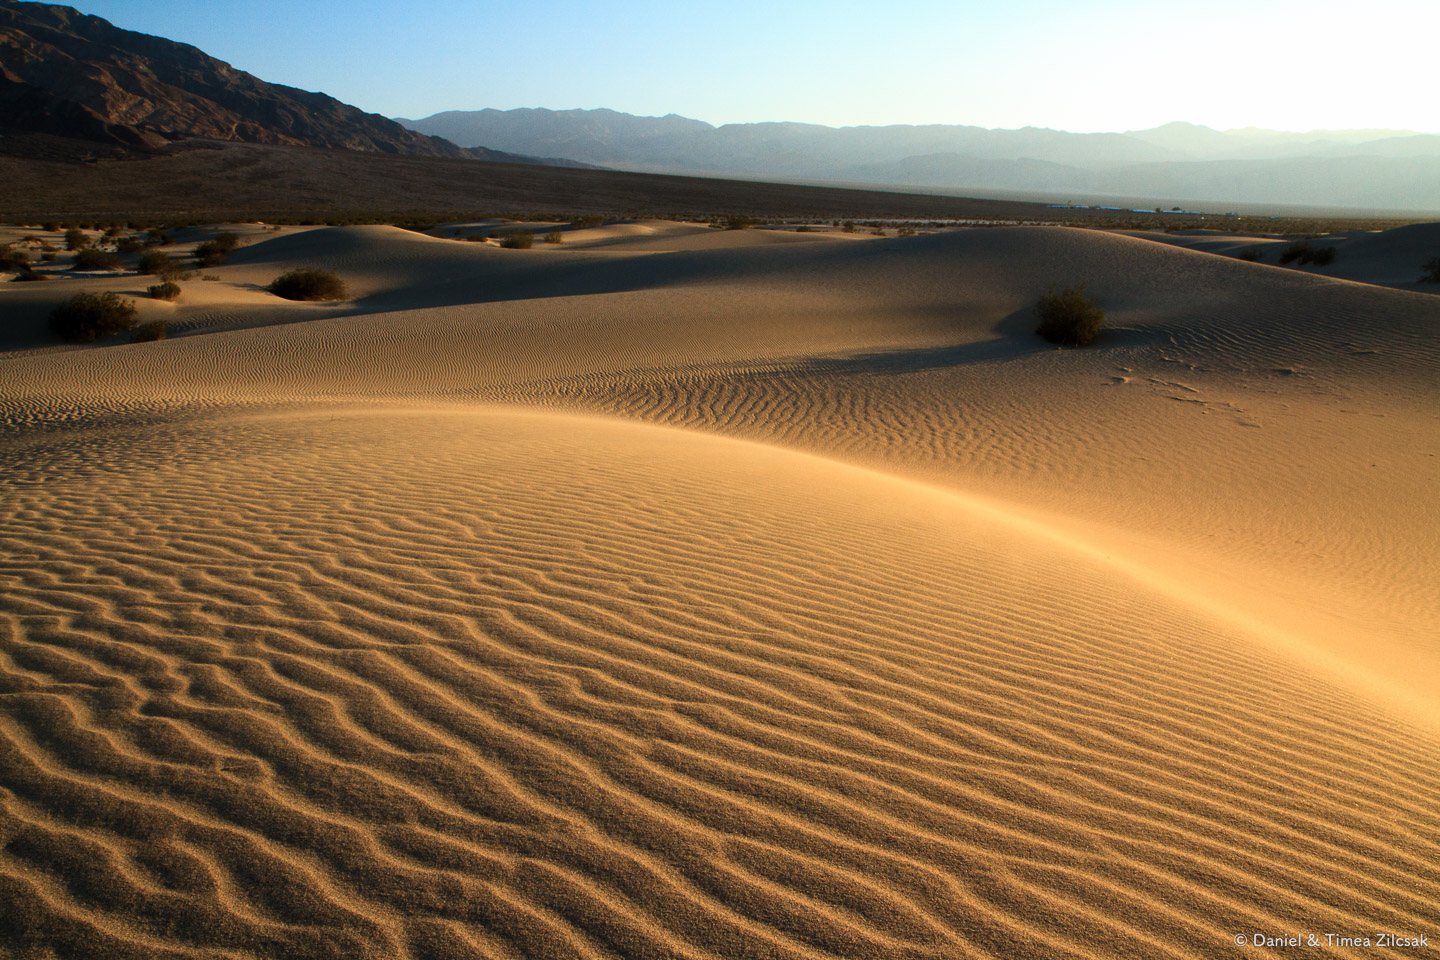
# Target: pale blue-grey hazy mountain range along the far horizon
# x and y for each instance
(1183, 163)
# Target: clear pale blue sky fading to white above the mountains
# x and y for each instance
(1104, 65)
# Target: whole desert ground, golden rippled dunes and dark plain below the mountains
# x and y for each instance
(670, 568)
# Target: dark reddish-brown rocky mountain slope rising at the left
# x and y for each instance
(78, 77)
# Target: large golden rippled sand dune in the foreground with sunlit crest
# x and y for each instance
(498, 684)
